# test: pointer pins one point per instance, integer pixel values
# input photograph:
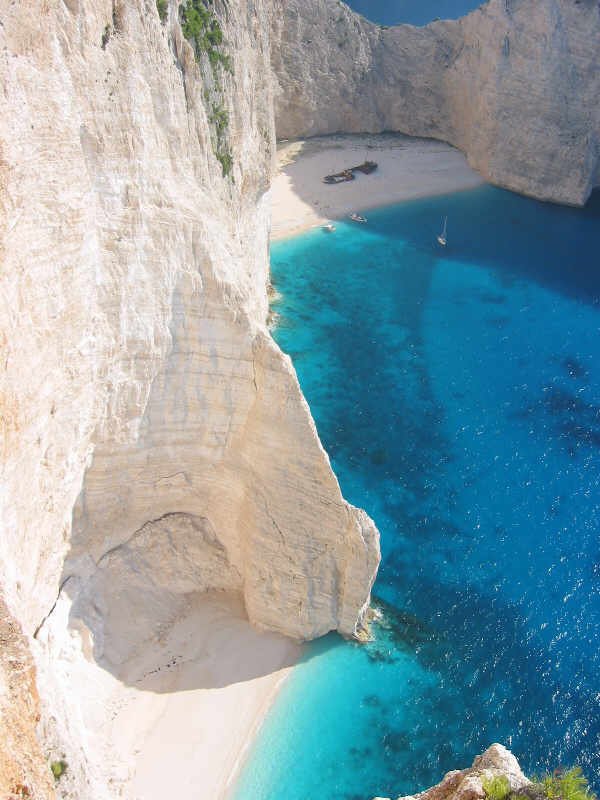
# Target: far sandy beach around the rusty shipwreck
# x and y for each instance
(408, 168)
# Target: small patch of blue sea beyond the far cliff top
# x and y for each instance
(414, 12)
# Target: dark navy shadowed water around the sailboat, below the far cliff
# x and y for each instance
(519, 237)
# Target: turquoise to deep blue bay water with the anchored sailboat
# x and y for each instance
(457, 392)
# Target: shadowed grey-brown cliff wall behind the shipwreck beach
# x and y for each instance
(514, 85)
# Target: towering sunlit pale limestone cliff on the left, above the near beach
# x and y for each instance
(155, 441)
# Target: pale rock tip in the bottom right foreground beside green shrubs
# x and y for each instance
(467, 784)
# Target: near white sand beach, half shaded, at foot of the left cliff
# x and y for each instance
(196, 719)
